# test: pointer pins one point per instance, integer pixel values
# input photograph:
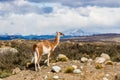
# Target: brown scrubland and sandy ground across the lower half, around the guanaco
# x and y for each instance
(74, 50)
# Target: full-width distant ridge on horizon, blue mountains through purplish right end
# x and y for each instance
(69, 34)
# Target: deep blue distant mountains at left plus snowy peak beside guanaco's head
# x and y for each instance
(71, 33)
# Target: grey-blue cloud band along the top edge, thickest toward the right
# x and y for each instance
(77, 3)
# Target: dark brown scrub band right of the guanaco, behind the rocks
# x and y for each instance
(88, 49)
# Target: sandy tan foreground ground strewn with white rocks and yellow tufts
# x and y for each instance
(102, 68)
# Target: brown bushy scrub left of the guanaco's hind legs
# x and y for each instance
(9, 61)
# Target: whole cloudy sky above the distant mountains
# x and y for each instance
(49, 16)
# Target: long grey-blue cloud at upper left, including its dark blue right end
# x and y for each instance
(13, 7)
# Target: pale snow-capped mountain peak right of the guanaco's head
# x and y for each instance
(77, 32)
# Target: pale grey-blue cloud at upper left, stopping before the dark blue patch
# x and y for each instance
(13, 7)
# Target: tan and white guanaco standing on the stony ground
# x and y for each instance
(46, 45)
